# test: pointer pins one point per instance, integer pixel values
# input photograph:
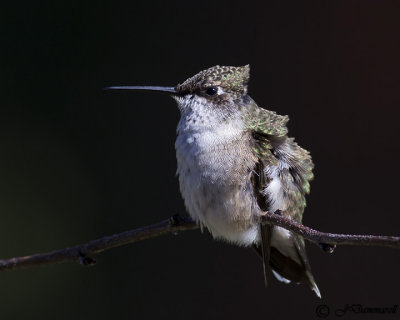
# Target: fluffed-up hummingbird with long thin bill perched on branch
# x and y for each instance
(235, 162)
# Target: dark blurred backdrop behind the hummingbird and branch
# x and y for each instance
(78, 163)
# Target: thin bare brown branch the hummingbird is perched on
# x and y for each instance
(81, 253)
